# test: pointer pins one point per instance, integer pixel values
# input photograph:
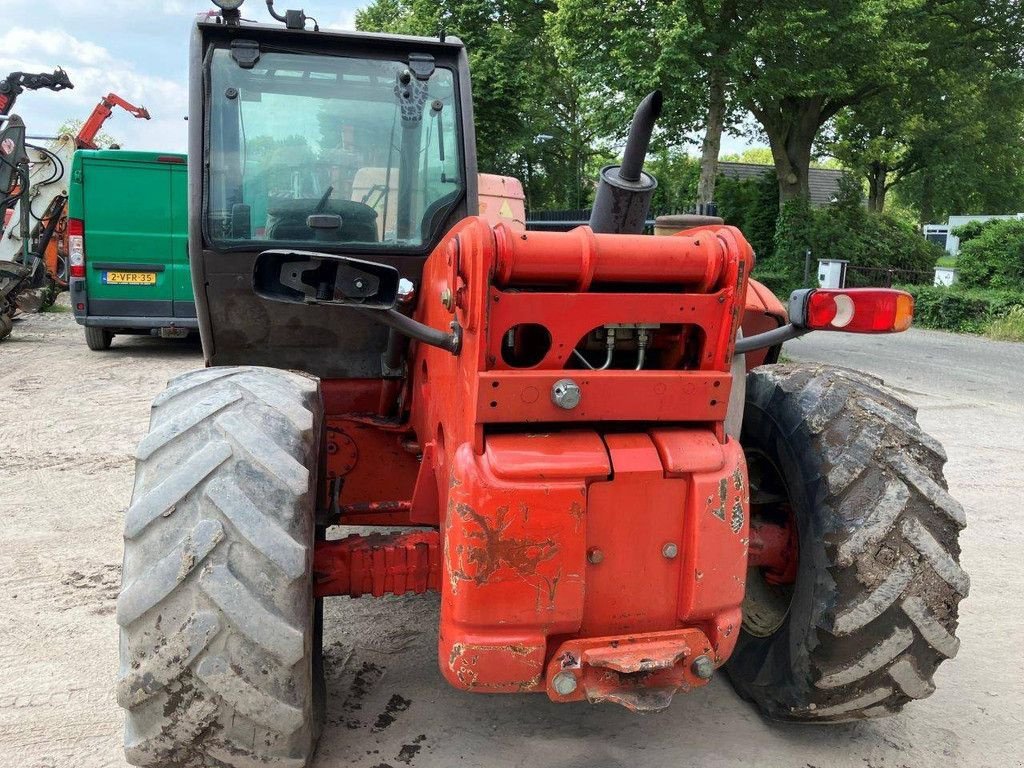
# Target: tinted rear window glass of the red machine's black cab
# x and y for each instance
(329, 149)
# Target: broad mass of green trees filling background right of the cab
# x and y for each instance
(927, 96)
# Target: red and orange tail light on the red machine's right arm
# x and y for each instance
(860, 311)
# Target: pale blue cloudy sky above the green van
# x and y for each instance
(136, 49)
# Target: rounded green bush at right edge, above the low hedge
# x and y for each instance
(995, 259)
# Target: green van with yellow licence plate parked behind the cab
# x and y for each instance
(127, 245)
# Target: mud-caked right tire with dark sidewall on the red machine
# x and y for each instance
(874, 609)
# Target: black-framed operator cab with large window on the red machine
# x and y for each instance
(340, 143)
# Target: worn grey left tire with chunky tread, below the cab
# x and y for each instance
(220, 629)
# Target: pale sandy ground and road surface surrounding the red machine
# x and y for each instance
(69, 423)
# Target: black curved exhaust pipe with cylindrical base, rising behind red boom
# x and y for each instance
(624, 192)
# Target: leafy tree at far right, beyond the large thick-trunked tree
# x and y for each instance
(967, 101)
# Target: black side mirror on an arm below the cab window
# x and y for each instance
(310, 278)
